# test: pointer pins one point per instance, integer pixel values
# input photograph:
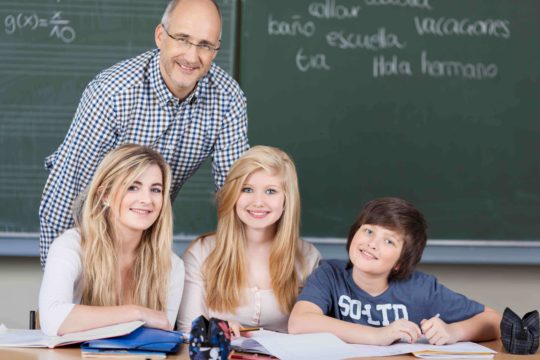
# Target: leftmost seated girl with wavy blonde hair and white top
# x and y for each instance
(117, 264)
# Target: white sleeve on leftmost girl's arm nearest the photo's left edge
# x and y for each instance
(56, 296)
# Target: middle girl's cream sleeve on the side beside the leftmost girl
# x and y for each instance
(193, 300)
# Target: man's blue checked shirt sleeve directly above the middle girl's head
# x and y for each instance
(232, 140)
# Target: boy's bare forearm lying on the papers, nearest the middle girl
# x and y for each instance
(306, 317)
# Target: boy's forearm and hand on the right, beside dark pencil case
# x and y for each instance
(481, 327)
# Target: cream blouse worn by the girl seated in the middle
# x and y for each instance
(259, 307)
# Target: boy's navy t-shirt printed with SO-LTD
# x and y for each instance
(331, 287)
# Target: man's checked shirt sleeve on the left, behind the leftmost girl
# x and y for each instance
(72, 166)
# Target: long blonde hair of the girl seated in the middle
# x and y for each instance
(224, 270)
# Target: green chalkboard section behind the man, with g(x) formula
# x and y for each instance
(49, 51)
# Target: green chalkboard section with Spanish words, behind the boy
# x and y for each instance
(437, 102)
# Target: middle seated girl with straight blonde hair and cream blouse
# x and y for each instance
(250, 270)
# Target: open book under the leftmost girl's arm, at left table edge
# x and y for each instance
(36, 338)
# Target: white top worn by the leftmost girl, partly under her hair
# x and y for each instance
(62, 285)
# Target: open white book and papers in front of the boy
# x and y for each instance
(328, 346)
